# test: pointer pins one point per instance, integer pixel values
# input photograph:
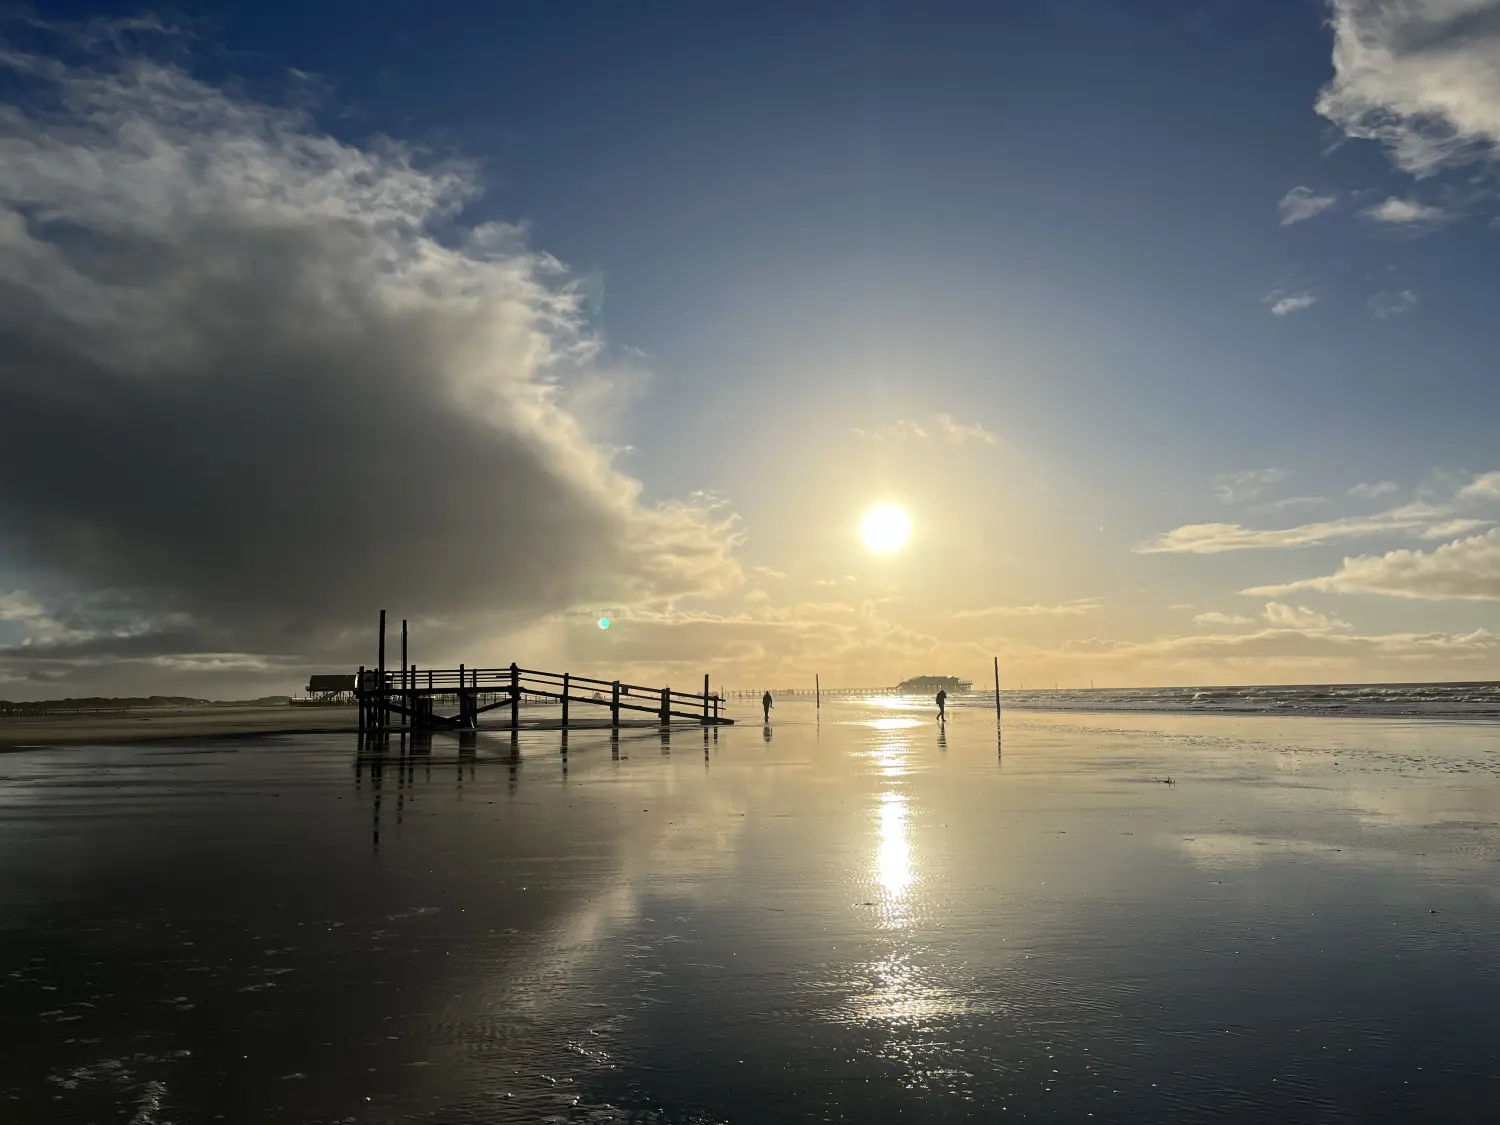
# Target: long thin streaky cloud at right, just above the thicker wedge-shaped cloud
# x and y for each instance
(1421, 520)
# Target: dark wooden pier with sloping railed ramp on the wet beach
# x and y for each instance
(412, 698)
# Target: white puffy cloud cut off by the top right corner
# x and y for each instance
(1421, 77)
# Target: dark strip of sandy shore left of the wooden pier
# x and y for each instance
(173, 722)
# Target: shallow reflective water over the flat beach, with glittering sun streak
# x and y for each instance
(859, 919)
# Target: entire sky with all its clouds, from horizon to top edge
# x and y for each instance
(1168, 325)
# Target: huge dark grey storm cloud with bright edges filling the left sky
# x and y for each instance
(245, 386)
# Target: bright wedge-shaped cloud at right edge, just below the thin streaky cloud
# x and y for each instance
(1468, 569)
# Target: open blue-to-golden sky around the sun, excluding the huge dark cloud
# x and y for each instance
(1121, 239)
